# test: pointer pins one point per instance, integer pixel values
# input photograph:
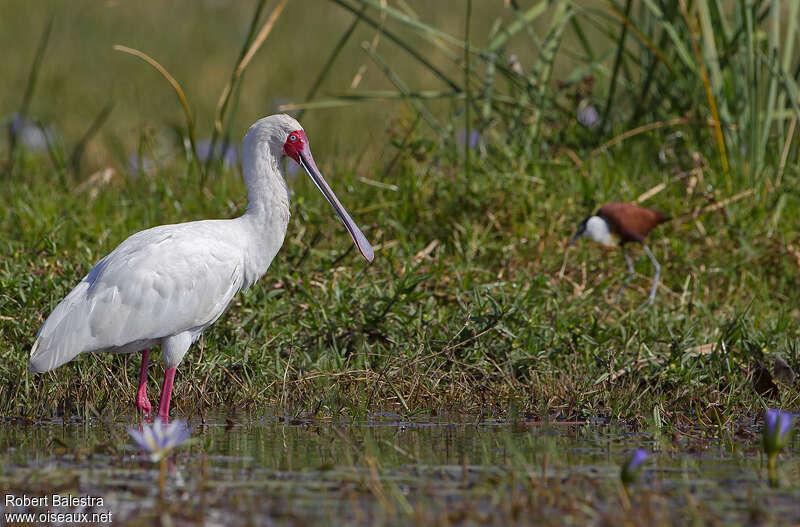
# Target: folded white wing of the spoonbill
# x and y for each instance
(158, 283)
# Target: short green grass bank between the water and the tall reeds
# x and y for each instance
(482, 322)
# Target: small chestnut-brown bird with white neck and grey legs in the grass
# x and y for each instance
(616, 224)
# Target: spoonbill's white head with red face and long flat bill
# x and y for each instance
(280, 135)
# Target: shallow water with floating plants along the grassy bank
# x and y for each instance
(261, 470)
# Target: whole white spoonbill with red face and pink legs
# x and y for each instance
(165, 285)
